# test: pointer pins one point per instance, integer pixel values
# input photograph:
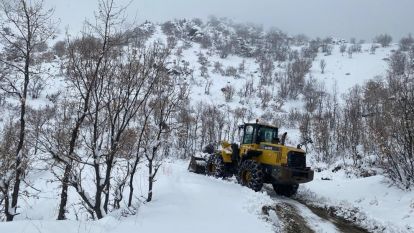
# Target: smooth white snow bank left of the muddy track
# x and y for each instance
(183, 202)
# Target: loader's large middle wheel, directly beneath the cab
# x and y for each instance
(251, 175)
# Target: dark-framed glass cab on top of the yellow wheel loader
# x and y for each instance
(254, 133)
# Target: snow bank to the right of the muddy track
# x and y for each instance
(369, 202)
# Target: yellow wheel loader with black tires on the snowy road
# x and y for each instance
(260, 158)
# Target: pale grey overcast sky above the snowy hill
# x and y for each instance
(362, 19)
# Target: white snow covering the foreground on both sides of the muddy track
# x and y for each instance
(188, 202)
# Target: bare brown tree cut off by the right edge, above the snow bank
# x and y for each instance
(397, 144)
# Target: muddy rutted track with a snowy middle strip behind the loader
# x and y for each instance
(298, 217)
